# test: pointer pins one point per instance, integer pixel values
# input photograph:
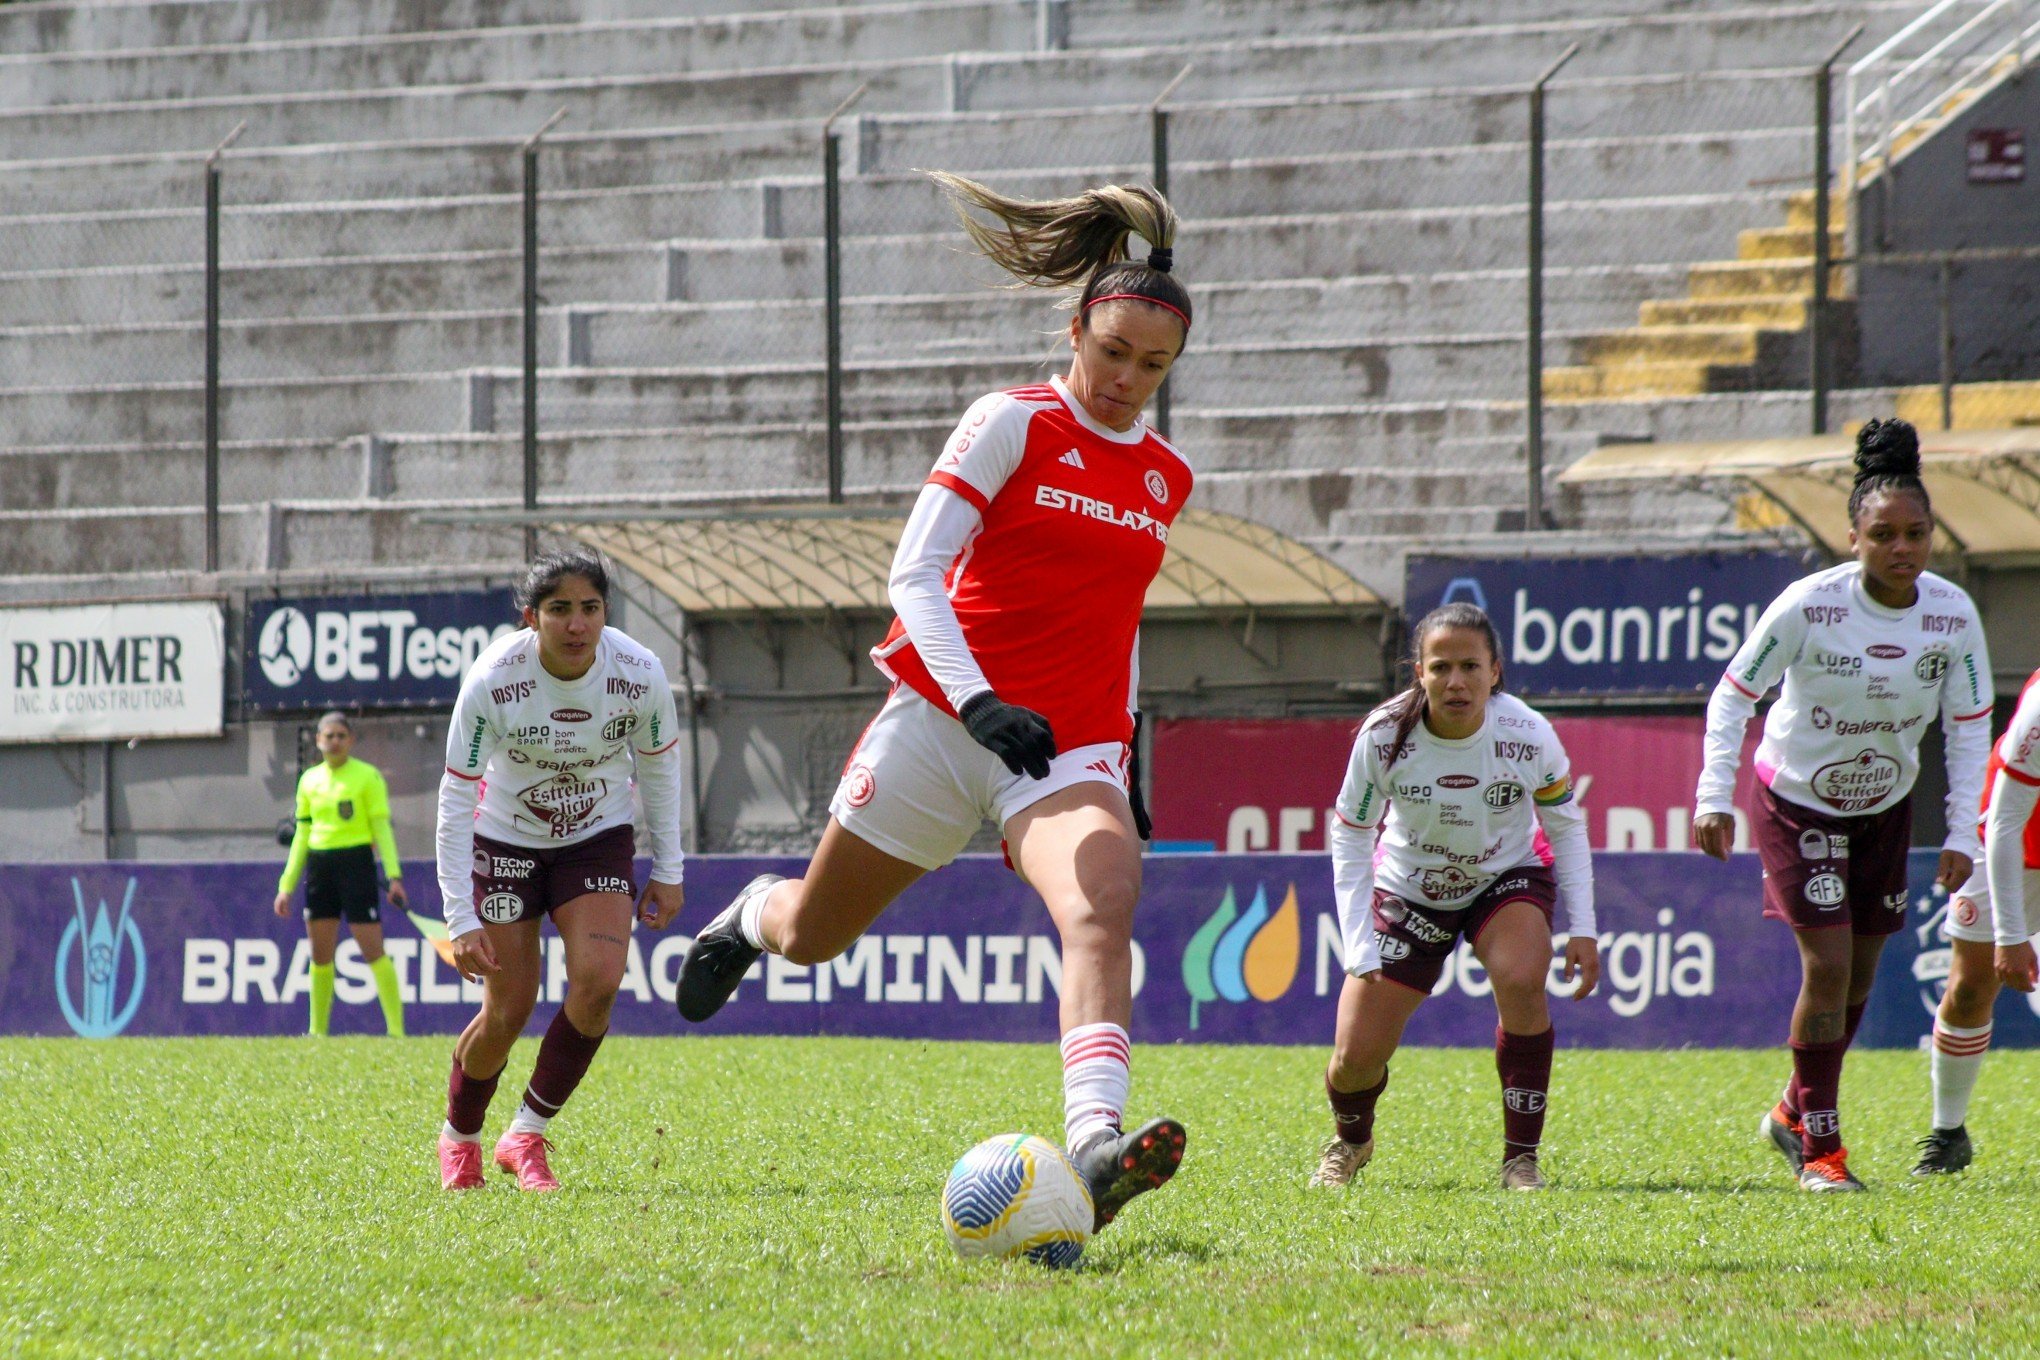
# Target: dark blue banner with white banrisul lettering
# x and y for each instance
(1611, 625)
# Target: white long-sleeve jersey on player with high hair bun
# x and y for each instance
(1859, 686)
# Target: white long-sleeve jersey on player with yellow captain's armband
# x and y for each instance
(1453, 817)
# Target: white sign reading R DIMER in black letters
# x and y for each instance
(113, 672)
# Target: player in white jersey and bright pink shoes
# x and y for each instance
(554, 727)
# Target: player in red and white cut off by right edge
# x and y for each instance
(1998, 906)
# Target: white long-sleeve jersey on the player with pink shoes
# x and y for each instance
(540, 762)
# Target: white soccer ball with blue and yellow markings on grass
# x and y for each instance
(1017, 1196)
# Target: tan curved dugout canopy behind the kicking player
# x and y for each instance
(821, 560)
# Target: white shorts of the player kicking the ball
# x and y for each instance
(919, 788)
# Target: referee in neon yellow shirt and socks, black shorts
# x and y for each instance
(344, 823)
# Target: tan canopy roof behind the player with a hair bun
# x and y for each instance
(1986, 484)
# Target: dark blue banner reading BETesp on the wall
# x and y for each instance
(368, 651)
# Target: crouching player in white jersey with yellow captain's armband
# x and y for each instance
(1460, 780)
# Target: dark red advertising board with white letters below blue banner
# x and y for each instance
(1266, 784)
